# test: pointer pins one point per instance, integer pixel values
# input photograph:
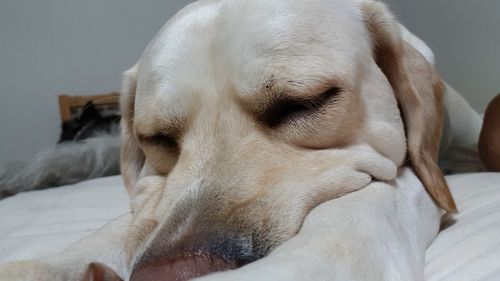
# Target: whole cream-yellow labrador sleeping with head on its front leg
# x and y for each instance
(275, 137)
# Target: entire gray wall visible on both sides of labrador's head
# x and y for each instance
(54, 46)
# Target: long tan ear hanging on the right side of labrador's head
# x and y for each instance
(419, 92)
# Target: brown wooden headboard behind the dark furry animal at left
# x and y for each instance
(69, 105)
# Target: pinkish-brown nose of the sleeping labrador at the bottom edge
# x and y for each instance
(181, 268)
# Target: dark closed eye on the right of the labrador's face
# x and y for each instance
(288, 108)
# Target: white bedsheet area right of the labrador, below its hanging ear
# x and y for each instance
(469, 250)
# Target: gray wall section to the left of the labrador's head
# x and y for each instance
(54, 46)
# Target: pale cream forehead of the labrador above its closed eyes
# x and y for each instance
(212, 46)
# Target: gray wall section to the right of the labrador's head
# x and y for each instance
(465, 37)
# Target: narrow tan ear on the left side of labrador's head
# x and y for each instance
(132, 157)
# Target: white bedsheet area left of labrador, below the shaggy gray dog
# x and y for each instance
(40, 223)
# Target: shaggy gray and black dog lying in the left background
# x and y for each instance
(89, 147)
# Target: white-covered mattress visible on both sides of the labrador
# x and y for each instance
(41, 223)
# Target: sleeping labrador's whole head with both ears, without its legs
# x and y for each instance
(242, 116)
